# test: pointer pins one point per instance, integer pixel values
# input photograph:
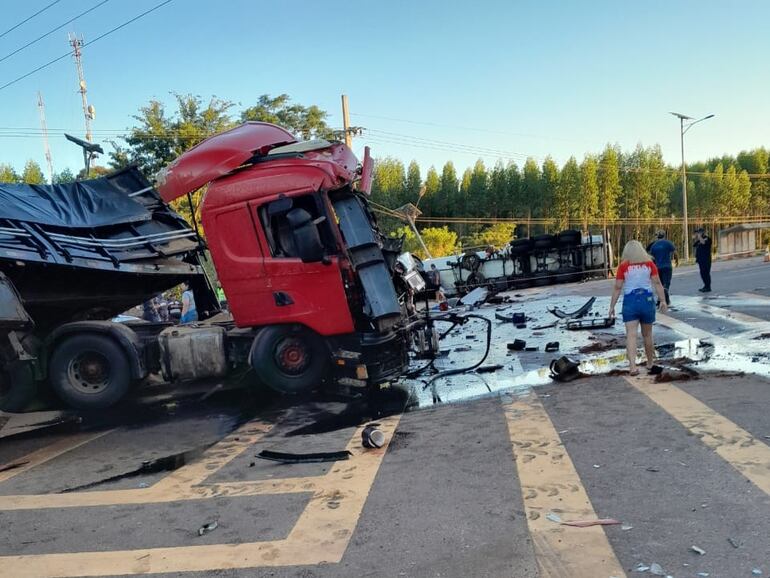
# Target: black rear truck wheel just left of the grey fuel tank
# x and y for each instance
(89, 372)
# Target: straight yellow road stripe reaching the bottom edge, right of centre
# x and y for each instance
(550, 483)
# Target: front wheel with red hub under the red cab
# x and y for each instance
(289, 359)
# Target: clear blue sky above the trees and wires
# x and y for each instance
(431, 80)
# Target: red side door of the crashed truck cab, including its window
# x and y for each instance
(293, 291)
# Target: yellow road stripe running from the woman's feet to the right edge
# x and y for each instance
(747, 454)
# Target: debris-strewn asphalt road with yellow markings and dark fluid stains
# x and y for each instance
(478, 487)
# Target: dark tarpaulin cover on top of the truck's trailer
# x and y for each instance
(89, 204)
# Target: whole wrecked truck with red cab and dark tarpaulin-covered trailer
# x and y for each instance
(315, 293)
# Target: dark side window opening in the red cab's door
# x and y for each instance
(278, 229)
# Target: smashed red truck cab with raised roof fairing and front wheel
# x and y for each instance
(298, 255)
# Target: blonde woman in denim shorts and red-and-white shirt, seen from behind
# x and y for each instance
(637, 277)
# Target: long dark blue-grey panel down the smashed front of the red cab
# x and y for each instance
(366, 256)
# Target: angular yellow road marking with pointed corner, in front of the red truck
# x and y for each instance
(321, 534)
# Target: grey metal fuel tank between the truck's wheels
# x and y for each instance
(192, 352)
